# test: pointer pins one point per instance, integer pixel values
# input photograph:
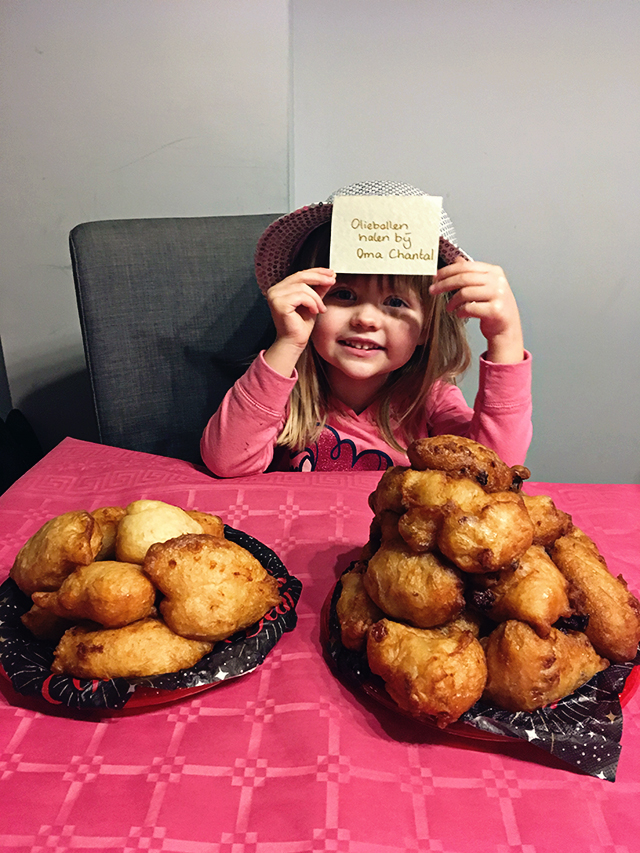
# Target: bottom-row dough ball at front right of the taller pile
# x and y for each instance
(526, 672)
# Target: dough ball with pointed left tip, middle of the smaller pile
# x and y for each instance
(110, 593)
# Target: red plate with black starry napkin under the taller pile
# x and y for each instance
(583, 730)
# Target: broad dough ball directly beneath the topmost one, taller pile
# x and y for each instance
(493, 539)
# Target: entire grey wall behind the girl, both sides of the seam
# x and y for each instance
(522, 114)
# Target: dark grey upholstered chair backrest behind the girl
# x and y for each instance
(171, 315)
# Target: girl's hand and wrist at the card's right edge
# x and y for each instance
(482, 290)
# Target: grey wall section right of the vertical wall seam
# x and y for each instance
(524, 116)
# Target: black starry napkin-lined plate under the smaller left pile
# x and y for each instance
(26, 661)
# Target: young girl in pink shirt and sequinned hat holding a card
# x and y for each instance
(364, 364)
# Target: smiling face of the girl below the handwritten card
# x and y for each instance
(371, 327)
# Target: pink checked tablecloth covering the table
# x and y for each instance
(286, 759)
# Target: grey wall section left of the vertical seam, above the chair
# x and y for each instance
(116, 109)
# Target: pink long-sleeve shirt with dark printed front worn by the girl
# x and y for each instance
(240, 439)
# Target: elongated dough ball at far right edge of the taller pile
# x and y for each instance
(614, 613)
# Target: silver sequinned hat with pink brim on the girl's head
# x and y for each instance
(279, 244)
